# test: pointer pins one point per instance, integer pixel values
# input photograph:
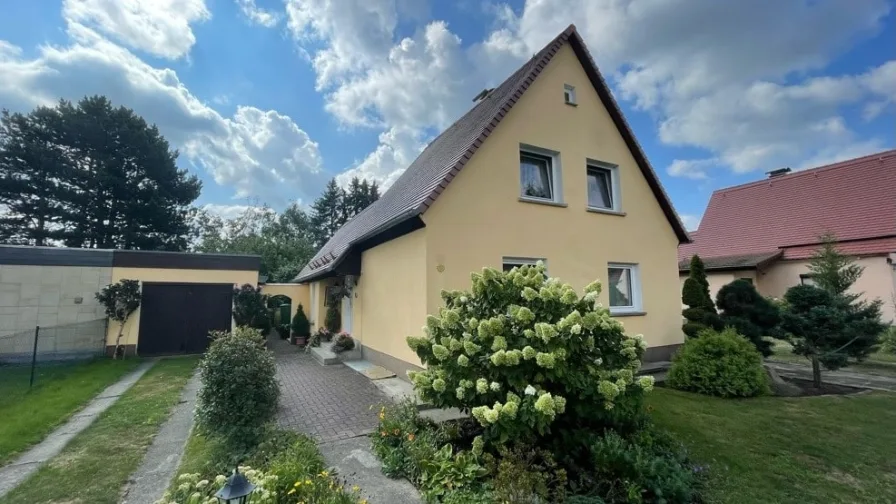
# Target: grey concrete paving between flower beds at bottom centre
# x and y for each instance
(355, 462)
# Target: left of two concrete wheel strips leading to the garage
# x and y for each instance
(29, 462)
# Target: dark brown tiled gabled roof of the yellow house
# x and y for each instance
(419, 186)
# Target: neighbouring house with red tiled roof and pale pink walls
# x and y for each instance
(767, 231)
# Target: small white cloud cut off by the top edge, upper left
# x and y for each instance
(158, 27)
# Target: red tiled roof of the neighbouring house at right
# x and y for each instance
(855, 200)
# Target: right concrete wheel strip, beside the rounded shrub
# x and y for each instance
(166, 451)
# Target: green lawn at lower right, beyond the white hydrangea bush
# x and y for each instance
(801, 450)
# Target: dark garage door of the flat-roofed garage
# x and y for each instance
(177, 317)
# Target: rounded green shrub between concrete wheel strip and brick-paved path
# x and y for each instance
(239, 390)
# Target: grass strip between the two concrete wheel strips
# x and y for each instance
(97, 463)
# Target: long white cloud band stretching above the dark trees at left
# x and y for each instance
(259, 153)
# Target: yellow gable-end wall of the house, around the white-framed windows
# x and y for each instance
(479, 218)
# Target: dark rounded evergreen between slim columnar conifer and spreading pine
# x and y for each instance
(751, 315)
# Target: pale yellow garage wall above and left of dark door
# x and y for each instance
(132, 327)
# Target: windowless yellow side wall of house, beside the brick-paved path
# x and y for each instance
(390, 301)
